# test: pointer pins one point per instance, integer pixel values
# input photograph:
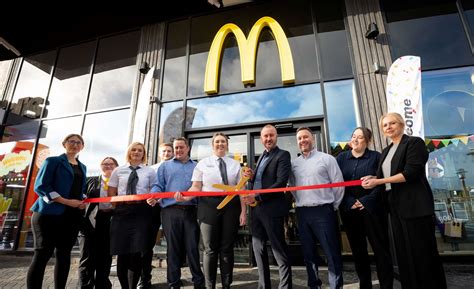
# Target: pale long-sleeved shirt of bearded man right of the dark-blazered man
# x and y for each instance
(317, 168)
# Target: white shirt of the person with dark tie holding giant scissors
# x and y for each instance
(207, 172)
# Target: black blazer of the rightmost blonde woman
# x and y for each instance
(412, 198)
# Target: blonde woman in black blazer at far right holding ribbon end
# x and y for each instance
(410, 202)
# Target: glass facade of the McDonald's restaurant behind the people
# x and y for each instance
(87, 88)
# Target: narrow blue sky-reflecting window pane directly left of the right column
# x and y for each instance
(340, 104)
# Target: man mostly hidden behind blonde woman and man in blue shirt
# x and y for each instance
(165, 152)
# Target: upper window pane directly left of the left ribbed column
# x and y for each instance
(114, 72)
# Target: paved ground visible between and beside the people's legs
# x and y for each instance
(13, 275)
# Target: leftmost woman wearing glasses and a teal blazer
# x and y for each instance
(57, 213)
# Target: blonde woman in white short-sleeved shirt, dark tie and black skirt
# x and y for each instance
(131, 221)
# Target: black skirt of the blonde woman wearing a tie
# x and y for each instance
(130, 228)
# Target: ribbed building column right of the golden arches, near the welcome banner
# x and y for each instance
(367, 52)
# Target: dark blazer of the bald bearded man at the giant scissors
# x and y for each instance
(275, 175)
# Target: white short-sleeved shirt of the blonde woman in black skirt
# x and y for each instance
(119, 179)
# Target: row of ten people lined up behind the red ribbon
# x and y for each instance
(394, 190)
